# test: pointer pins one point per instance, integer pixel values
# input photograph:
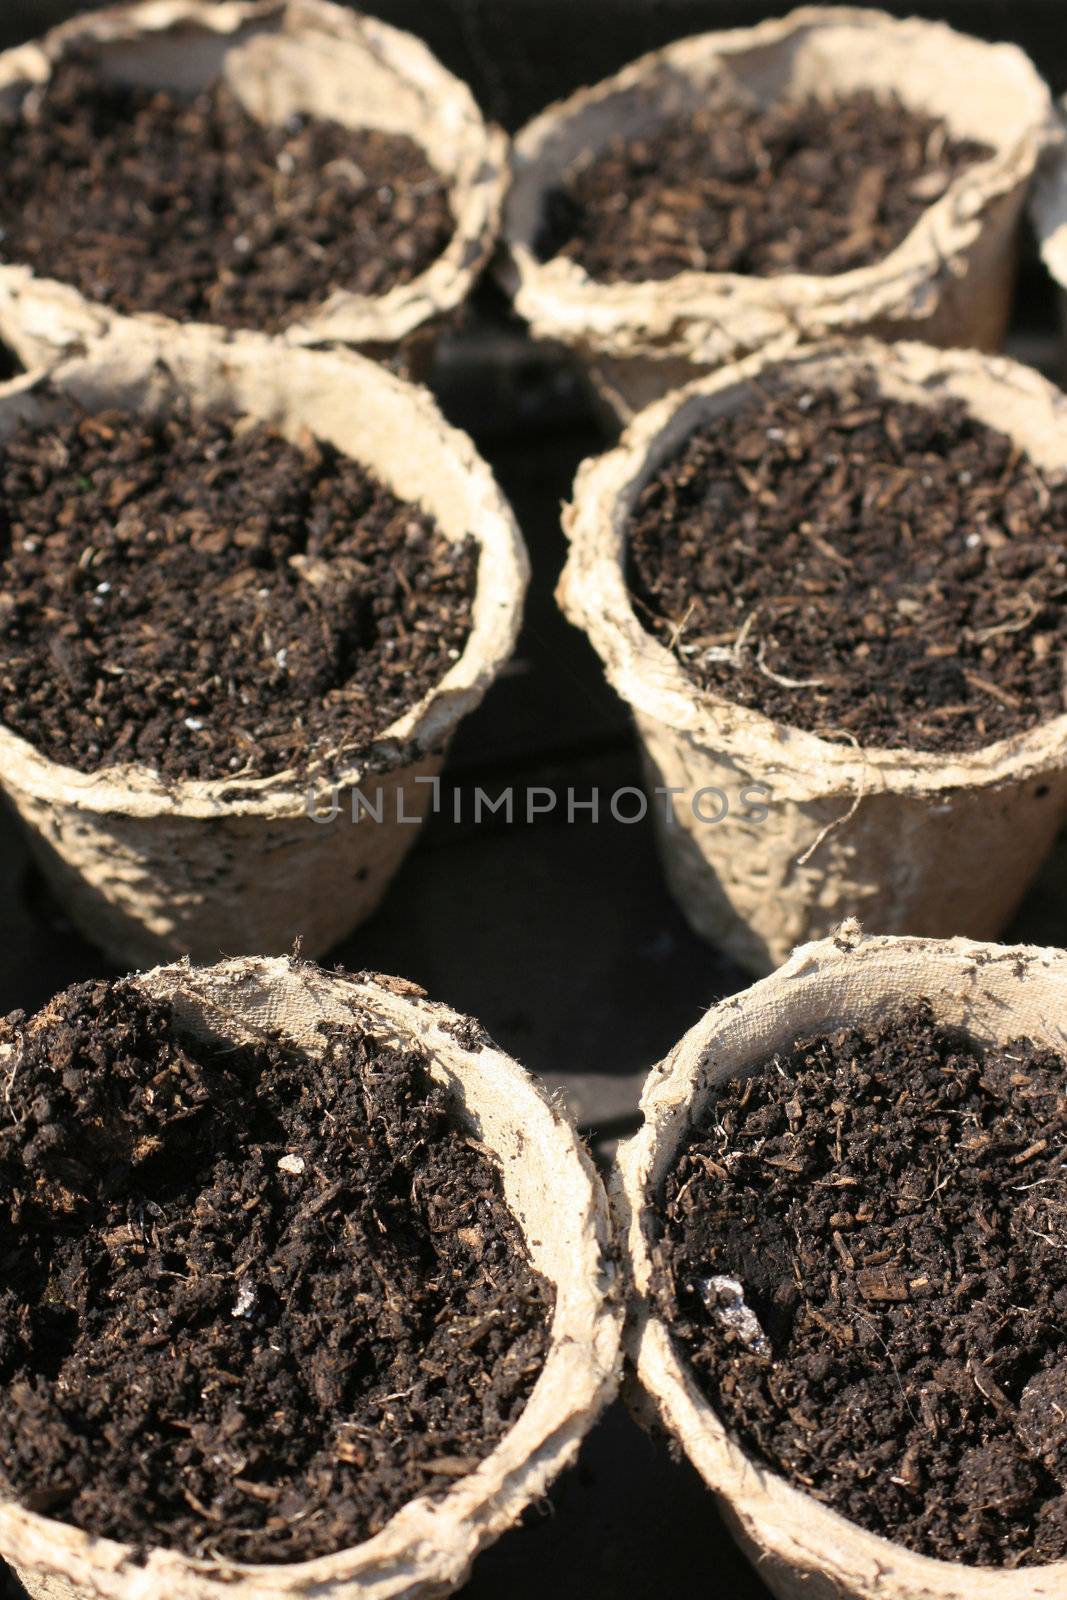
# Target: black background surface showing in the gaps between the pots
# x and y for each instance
(562, 940)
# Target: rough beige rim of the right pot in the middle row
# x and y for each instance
(594, 594)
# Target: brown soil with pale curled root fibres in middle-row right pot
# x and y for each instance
(858, 567)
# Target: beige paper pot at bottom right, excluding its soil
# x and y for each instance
(804, 1550)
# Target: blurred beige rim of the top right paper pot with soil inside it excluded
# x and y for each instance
(695, 310)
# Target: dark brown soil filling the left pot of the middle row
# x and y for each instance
(204, 598)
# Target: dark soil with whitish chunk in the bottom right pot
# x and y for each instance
(865, 1260)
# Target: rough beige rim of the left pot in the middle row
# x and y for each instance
(132, 358)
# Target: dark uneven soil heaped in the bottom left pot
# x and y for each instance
(250, 1303)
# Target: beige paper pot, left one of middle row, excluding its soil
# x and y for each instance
(153, 870)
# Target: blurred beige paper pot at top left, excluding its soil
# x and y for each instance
(286, 57)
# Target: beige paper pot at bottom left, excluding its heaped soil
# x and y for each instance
(559, 1204)
